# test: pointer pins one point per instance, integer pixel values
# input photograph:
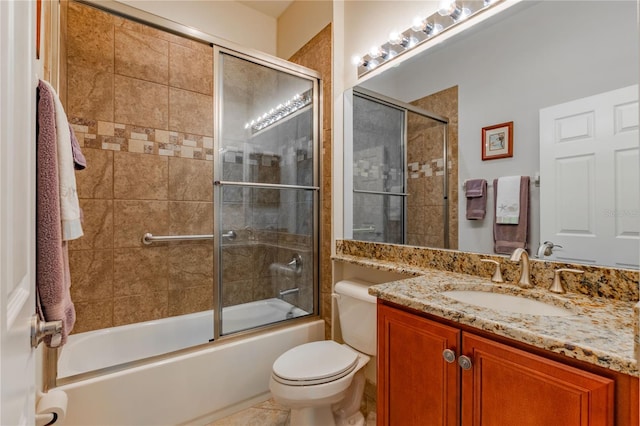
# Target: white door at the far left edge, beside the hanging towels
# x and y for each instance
(17, 211)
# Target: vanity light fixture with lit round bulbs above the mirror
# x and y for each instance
(449, 14)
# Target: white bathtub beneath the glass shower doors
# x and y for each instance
(195, 387)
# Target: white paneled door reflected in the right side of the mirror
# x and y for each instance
(590, 183)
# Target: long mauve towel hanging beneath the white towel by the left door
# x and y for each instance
(52, 266)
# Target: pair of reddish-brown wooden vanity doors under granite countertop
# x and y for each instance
(502, 386)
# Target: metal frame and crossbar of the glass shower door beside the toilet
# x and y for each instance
(291, 69)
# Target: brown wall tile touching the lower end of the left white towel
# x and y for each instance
(97, 225)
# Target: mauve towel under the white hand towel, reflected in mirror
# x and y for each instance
(508, 237)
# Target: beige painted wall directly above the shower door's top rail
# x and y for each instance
(228, 20)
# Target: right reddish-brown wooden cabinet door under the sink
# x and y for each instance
(507, 386)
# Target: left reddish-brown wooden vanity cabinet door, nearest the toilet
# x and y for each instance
(416, 386)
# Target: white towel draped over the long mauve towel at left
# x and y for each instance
(69, 204)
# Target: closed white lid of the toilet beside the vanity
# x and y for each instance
(315, 362)
